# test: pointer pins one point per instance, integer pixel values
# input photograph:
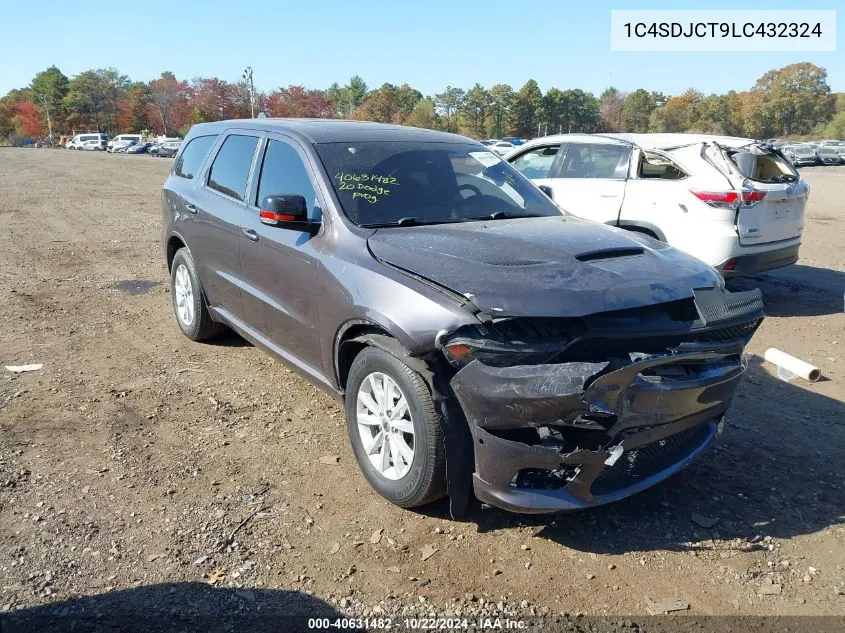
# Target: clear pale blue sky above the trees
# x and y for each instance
(429, 43)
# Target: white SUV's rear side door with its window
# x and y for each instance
(589, 179)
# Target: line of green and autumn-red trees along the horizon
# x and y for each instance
(791, 101)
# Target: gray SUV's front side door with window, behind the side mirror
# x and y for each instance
(280, 264)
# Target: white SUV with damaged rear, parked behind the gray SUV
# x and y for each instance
(729, 201)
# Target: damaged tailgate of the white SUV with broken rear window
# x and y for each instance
(774, 196)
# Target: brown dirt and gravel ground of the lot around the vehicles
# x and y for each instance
(137, 459)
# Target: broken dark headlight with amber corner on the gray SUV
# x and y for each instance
(496, 346)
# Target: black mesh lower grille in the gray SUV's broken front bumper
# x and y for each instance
(645, 461)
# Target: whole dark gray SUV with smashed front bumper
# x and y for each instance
(480, 338)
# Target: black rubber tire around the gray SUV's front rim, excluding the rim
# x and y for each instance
(426, 480)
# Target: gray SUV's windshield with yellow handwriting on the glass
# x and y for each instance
(399, 182)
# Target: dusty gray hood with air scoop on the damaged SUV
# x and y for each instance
(545, 267)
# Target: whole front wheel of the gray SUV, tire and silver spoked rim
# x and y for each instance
(394, 429)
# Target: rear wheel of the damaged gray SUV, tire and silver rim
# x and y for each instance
(192, 315)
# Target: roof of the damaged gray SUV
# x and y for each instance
(333, 130)
